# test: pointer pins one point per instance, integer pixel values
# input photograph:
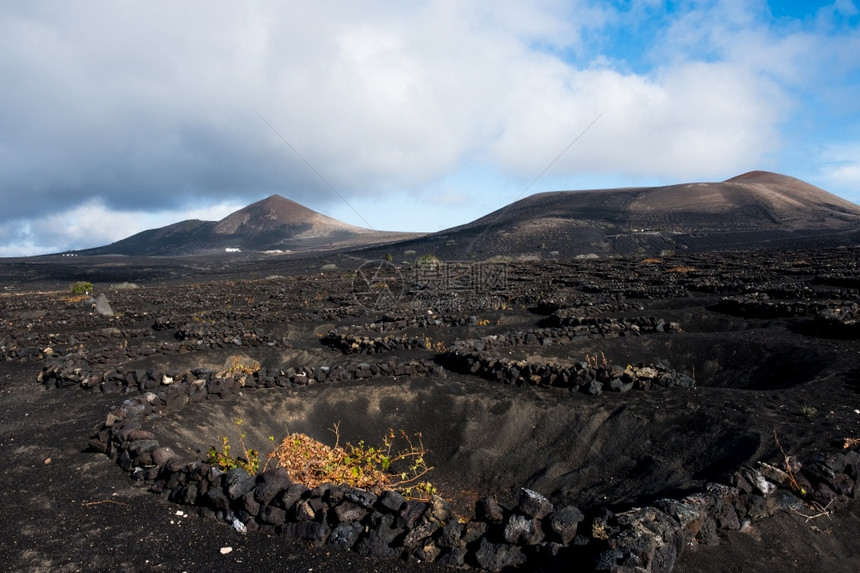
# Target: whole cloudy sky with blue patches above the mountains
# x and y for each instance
(117, 116)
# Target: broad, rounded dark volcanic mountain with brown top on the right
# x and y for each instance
(754, 210)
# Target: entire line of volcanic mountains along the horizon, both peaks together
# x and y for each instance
(740, 212)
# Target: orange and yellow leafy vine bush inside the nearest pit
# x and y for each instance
(390, 466)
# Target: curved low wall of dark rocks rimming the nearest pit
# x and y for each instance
(530, 533)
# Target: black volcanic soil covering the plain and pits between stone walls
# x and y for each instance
(765, 360)
